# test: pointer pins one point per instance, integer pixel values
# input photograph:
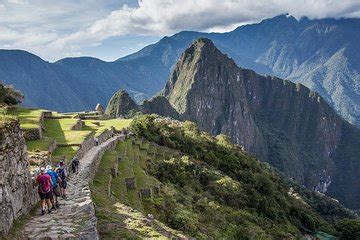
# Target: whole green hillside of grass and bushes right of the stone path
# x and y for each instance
(206, 187)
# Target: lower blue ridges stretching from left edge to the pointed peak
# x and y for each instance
(72, 84)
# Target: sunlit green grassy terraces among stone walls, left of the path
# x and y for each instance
(59, 129)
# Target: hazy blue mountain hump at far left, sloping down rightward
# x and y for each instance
(42, 83)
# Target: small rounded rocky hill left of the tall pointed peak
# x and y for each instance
(120, 105)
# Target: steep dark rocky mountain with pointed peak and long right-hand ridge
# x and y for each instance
(282, 123)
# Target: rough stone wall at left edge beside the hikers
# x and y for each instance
(17, 194)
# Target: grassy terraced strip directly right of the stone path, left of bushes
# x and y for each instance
(114, 217)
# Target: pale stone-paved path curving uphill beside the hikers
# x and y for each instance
(76, 217)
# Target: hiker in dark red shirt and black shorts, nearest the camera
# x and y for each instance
(44, 190)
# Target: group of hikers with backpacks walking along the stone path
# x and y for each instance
(52, 184)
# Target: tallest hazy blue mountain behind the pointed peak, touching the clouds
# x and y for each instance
(322, 54)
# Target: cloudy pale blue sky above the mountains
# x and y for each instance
(109, 29)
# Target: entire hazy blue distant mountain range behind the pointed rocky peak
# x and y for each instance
(323, 54)
